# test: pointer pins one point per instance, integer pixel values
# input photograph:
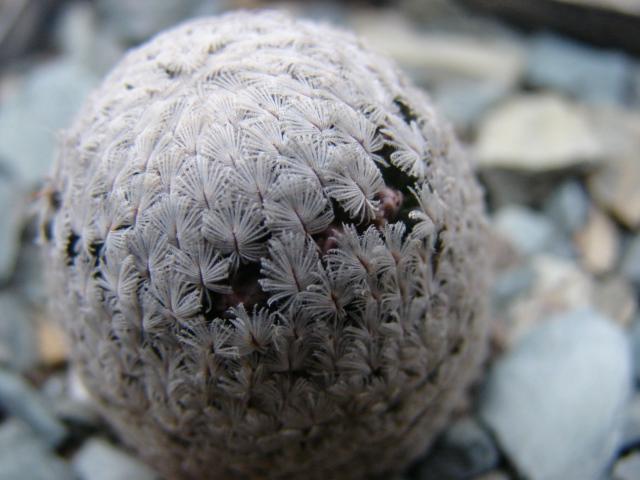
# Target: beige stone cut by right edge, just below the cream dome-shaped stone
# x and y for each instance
(615, 187)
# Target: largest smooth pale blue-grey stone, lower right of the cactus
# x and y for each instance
(555, 401)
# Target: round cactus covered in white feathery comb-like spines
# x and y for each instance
(267, 252)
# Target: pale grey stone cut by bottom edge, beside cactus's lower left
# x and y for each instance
(100, 460)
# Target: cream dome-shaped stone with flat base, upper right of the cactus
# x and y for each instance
(537, 132)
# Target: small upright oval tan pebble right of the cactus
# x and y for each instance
(597, 243)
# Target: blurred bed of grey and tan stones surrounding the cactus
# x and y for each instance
(555, 128)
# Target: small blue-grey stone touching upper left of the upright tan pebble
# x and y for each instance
(568, 207)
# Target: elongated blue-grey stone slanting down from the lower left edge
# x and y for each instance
(24, 402)
